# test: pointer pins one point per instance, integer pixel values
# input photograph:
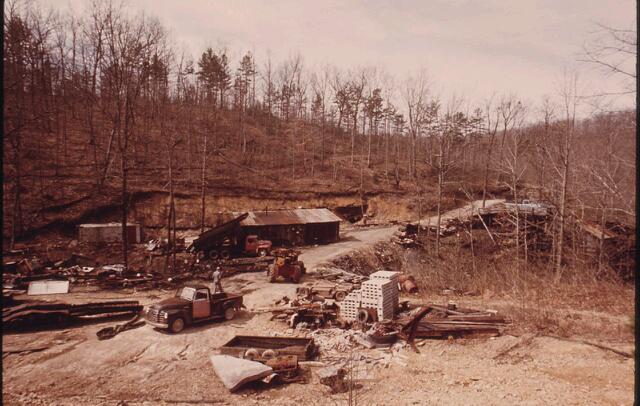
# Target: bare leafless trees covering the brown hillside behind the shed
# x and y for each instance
(107, 92)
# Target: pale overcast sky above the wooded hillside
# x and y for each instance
(469, 48)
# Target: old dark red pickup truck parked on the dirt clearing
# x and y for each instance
(192, 304)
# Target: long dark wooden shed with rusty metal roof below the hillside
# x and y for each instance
(293, 227)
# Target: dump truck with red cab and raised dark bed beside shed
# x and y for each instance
(227, 240)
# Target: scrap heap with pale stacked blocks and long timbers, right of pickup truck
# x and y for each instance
(381, 327)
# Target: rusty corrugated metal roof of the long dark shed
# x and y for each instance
(289, 217)
